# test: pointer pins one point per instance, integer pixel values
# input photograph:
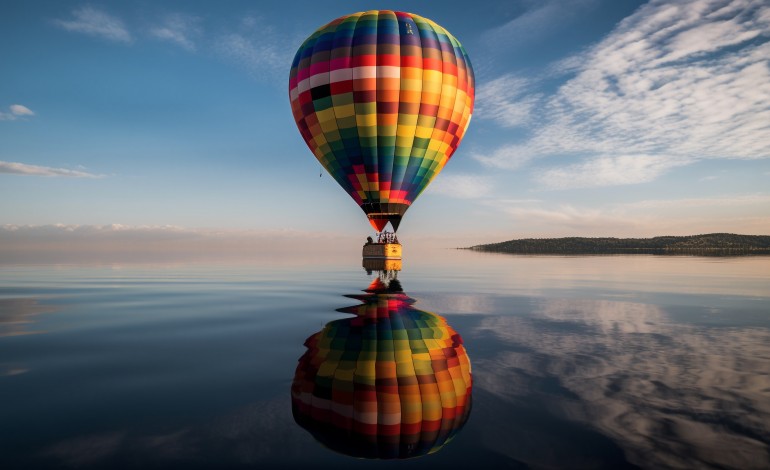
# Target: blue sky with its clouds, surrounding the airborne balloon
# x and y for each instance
(593, 117)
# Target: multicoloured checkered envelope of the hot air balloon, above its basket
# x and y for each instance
(382, 98)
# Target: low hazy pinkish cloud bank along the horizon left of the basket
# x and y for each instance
(153, 243)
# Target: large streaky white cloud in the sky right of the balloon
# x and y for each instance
(685, 80)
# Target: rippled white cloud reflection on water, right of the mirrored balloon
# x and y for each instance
(672, 395)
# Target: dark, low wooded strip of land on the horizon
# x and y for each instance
(712, 244)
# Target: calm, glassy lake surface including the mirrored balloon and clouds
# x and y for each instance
(576, 362)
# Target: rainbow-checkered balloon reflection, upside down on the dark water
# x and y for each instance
(391, 382)
